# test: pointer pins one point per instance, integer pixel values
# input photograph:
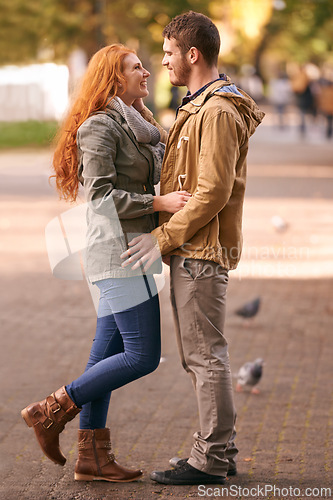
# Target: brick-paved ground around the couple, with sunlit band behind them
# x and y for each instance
(285, 434)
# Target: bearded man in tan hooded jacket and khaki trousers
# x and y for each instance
(206, 156)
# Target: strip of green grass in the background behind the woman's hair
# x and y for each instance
(29, 133)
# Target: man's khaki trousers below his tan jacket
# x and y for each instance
(198, 296)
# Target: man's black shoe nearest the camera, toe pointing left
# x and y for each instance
(185, 474)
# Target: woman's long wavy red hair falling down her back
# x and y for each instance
(99, 85)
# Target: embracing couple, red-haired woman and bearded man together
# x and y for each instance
(112, 145)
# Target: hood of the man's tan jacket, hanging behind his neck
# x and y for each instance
(245, 105)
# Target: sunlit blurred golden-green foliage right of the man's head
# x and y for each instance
(286, 30)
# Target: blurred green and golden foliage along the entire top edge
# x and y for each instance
(49, 29)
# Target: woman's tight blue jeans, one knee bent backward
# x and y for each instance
(127, 345)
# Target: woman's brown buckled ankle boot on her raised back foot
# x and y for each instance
(48, 419)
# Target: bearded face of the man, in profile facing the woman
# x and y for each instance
(176, 63)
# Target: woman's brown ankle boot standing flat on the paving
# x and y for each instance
(96, 461)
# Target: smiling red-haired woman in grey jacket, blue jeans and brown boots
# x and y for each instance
(107, 145)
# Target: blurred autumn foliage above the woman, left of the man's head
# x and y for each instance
(50, 29)
